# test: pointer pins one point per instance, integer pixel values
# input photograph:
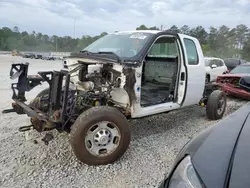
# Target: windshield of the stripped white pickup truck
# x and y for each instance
(125, 45)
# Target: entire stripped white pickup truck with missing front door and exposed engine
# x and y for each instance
(120, 76)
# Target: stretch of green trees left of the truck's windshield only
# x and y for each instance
(11, 39)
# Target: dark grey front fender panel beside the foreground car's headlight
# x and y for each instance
(212, 149)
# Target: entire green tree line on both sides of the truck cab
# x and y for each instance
(221, 42)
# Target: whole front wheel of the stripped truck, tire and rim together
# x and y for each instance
(100, 135)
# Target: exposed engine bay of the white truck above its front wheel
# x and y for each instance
(96, 83)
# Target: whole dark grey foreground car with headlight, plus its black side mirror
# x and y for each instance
(218, 157)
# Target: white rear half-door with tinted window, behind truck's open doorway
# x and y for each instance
(195, 70)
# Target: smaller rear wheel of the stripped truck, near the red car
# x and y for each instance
(215, 109)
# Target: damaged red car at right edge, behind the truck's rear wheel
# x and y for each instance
(229, 82)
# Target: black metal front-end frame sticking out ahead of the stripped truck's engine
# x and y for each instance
(57, 108)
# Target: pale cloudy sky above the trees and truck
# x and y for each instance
(91, 17)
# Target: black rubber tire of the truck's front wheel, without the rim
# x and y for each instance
(90, 118)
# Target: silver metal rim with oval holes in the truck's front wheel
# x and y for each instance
(102, 138)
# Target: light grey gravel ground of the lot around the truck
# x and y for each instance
(156, 141)
